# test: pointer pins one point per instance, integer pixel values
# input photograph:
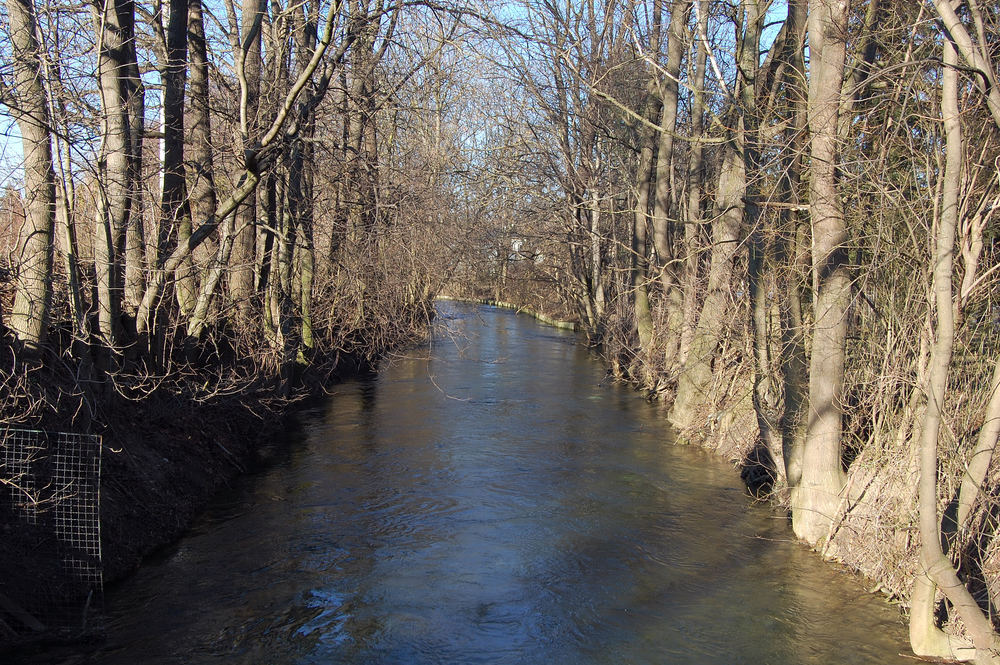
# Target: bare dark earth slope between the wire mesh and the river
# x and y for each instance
(164, 457)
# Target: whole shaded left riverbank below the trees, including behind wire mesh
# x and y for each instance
(169, 444)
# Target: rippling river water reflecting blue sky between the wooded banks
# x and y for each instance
(492, 503)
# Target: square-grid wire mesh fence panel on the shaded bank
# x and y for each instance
(51, 578)
